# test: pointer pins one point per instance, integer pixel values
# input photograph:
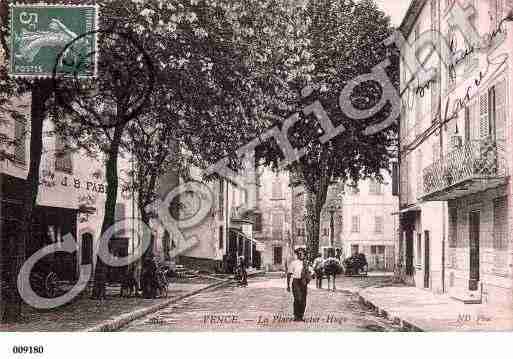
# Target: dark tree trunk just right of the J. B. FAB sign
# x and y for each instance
(111, 169)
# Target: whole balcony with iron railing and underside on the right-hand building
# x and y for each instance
(472, 167)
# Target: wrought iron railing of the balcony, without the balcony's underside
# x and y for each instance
(481, 159)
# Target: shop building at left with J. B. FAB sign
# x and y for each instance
(71, 201)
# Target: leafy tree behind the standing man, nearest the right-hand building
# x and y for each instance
(345, 40)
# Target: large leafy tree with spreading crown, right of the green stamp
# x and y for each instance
(211, 82)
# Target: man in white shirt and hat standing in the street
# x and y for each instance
(300, 273)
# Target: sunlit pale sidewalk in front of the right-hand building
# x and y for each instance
(420, 310)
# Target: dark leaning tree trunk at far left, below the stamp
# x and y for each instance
(40, 93)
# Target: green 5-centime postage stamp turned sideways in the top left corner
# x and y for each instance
(47, 37)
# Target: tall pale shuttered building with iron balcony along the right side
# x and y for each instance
(455, 136)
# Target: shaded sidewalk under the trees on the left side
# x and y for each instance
(85, 314)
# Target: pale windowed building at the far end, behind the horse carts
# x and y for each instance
(354, 219)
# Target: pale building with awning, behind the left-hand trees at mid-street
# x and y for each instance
(217, 239)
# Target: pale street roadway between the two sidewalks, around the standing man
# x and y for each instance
(266, 305)
